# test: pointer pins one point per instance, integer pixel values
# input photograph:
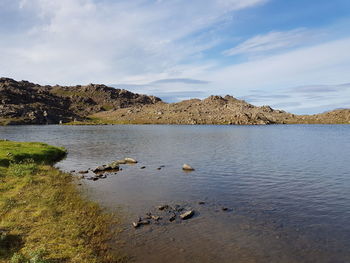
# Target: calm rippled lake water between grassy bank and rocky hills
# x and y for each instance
(288, 188)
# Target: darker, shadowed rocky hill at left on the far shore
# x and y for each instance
(22, 102)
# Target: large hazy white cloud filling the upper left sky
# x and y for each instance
(80, 41)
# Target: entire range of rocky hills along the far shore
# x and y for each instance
(22, 102)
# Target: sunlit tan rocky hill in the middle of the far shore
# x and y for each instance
(212, 110)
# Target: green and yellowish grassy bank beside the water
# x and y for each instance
(43, 217)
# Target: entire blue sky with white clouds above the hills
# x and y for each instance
(293, 55)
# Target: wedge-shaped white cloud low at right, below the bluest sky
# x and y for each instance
(327, 63)
